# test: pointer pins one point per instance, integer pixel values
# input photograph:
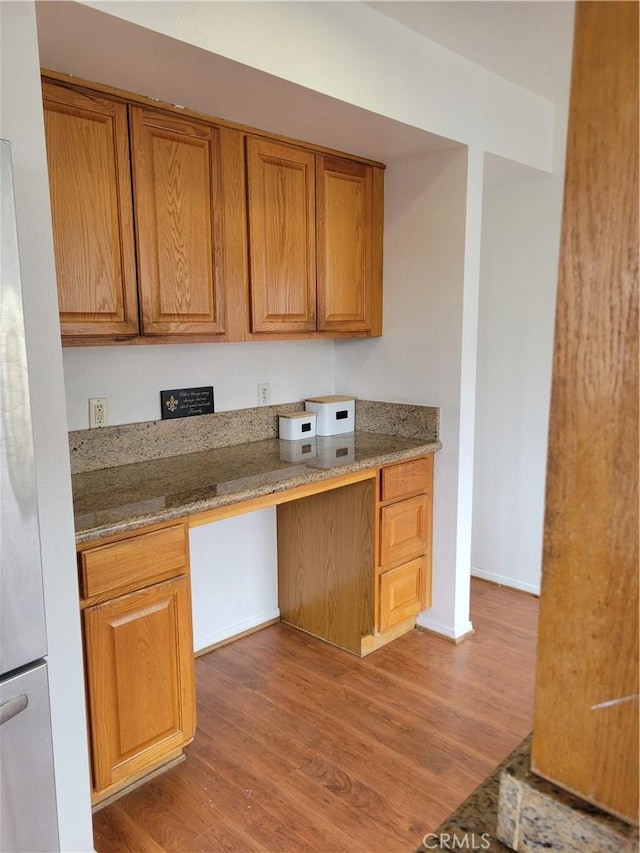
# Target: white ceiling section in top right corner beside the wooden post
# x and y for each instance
(524, 41)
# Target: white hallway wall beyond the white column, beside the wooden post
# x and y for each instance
(520, 246)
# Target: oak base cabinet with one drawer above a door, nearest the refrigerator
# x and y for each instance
(138, 654)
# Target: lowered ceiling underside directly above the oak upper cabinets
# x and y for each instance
(90, 44)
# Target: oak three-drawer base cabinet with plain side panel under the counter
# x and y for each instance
(354, 563)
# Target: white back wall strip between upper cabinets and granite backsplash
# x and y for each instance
(132, 377)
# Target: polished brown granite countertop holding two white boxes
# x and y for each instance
(110, 501)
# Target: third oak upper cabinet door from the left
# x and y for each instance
(282, 254)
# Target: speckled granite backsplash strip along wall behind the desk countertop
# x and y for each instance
(92, 449)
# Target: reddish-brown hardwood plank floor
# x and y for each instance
(302, 747)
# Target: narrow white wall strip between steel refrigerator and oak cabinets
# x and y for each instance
(22, 124)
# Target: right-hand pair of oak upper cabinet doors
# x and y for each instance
(315, 241)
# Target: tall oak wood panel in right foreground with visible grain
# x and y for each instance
(586, 723)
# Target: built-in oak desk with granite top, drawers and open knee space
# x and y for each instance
(354, 568)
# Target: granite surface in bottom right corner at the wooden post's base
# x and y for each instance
(515, 810)
